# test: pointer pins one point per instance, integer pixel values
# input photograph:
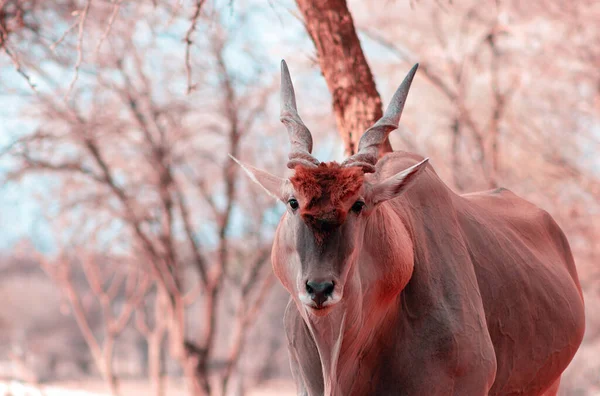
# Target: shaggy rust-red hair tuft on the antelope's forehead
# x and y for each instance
(324, 190)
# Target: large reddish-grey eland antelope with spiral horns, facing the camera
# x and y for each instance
(399, 286)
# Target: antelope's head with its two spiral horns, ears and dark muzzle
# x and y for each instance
(322, 233)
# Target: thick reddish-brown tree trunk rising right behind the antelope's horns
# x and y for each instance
(356, 102)
